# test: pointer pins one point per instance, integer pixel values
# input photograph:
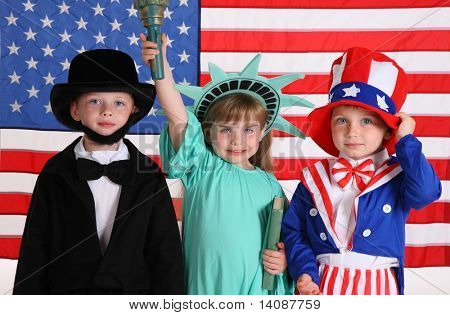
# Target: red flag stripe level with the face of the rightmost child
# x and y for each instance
(426, 126)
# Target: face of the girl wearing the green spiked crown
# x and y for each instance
(236, 141)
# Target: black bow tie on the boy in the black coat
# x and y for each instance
(119, 172)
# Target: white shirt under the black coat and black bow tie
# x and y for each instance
(106, 193)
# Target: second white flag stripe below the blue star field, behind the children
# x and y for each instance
(24, 183)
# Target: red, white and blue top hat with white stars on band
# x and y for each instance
(363, 78)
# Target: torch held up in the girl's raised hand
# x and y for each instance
(152, 15)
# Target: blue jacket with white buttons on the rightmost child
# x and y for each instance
(414, 187)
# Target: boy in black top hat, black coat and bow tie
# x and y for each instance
(101, 219)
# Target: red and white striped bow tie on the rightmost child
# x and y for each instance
(344, 173)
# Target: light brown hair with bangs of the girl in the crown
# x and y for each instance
(238, 106)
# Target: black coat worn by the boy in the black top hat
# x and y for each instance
(60, 251)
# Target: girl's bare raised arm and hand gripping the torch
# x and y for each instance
(169, 98)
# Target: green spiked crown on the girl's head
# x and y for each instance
(266, 91)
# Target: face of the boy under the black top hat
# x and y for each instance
(103, 112)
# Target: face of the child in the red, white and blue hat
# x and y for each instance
(357, 132)
